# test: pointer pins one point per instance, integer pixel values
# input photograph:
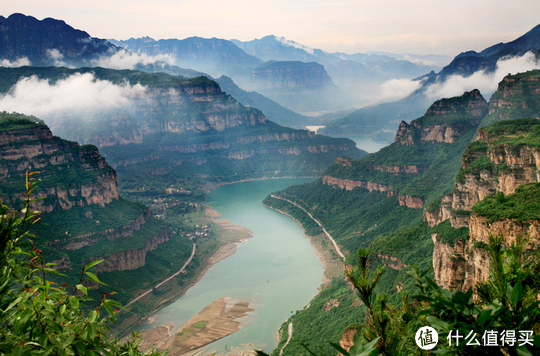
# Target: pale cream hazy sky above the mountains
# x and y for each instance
(398, 26)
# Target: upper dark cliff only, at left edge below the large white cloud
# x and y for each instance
(32, 147)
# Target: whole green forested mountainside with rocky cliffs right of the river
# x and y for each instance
(494, 192)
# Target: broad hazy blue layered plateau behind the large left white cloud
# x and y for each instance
(186, 120)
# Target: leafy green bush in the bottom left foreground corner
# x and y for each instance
(36, 315)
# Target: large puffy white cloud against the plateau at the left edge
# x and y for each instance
(78, 92)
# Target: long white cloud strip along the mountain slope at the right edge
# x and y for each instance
(485, 82)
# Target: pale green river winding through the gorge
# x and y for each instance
(277, 270)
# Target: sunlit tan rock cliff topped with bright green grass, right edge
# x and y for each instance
(504, 158)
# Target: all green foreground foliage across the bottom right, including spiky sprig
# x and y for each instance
(507, 304)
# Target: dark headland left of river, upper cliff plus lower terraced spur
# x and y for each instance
(75, 180)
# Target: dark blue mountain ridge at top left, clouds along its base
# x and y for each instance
(25, 40)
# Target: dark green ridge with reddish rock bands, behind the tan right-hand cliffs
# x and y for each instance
(415, 157)
